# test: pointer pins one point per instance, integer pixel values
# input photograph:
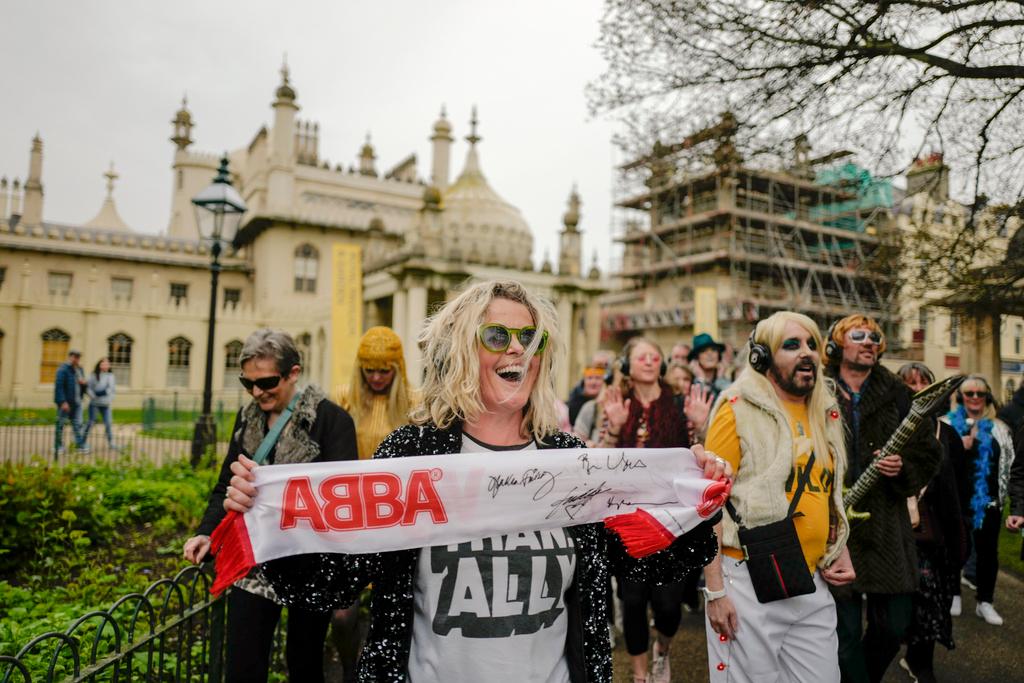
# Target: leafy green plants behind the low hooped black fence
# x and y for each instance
(78, 538)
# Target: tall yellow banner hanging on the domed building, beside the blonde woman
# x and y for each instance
(347, 312)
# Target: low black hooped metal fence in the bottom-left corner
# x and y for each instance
(174, 631)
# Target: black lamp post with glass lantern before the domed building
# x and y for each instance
(219, 212)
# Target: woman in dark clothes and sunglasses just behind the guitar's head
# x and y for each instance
(938, 531)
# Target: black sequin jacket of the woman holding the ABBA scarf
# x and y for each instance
(337, 580)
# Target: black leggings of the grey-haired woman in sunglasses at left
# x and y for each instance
(251, 621)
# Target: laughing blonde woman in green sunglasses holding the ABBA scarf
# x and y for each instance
(522, 607)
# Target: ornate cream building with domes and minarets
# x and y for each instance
(318, 239)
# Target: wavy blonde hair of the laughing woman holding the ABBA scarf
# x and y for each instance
(451, 389)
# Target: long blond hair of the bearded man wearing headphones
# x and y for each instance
(772, 333)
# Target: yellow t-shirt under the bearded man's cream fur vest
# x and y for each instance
(813, 526)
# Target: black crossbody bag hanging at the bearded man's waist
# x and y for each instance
(774, 554)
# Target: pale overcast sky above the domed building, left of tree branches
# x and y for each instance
(101, 82)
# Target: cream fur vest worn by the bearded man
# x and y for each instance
(767, 459)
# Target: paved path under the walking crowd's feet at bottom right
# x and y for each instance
(984, 655)
